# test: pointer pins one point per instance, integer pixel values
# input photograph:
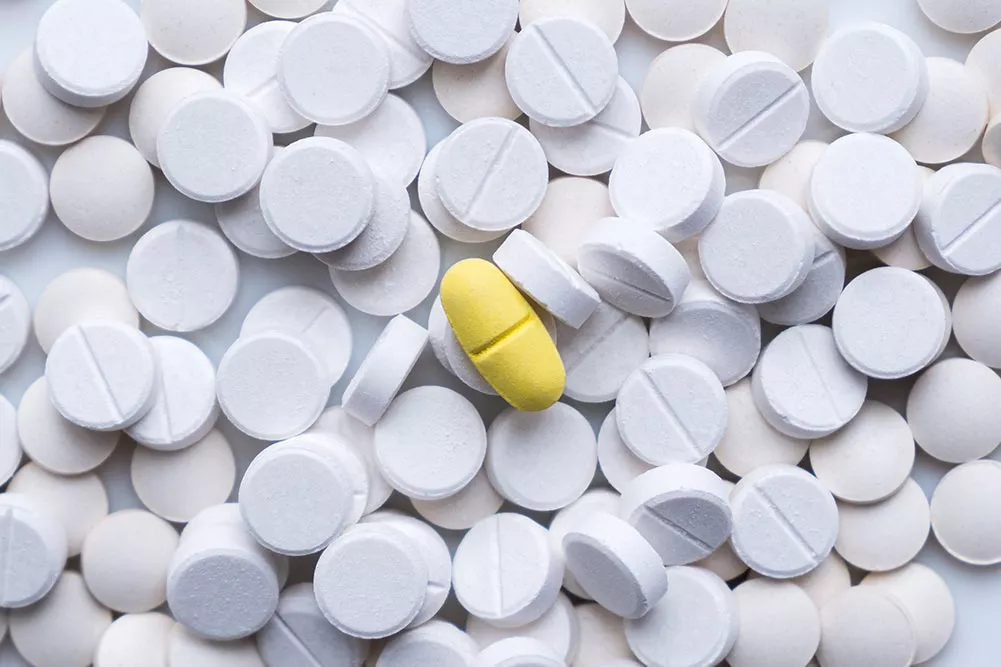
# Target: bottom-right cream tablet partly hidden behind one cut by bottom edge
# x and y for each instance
(926, 598)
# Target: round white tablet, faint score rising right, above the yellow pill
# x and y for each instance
(492, 175)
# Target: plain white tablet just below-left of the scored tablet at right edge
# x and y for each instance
(891, 323)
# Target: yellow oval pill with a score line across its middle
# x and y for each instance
(503, 335)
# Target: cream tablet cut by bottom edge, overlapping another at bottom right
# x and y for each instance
(863, 625)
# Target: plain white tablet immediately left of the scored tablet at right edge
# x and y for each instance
(865, 191)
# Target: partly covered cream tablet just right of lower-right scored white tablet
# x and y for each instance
(886, 535)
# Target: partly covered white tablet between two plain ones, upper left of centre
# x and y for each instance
(392, 139)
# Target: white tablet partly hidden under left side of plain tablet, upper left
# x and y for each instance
(252, 71)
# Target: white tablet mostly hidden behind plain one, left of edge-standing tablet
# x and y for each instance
(311, 316)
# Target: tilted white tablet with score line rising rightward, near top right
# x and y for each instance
(752, 109)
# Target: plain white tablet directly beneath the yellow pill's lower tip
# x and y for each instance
(542, 461)
